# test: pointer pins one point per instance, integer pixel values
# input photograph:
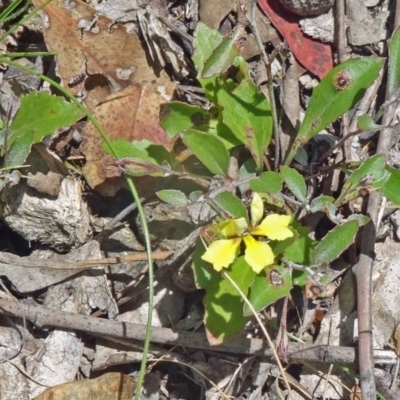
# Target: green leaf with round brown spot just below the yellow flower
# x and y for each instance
(269, 287)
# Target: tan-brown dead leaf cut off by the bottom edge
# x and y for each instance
(110, 386)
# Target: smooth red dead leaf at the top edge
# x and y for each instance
(313, 55)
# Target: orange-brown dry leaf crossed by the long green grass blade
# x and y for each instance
(132, 114)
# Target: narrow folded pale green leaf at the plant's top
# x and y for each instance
(224, 54)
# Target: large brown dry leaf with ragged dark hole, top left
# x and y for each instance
(93, 46)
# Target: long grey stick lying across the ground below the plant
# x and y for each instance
(46, 317)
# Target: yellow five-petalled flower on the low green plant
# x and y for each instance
(258, 255)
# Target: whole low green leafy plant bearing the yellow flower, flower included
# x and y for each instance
(263, 248)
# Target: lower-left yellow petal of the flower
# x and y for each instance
(222, 253)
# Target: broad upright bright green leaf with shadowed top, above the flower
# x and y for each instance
(247, 113)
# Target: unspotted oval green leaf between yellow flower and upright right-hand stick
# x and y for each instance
(335, 242)
